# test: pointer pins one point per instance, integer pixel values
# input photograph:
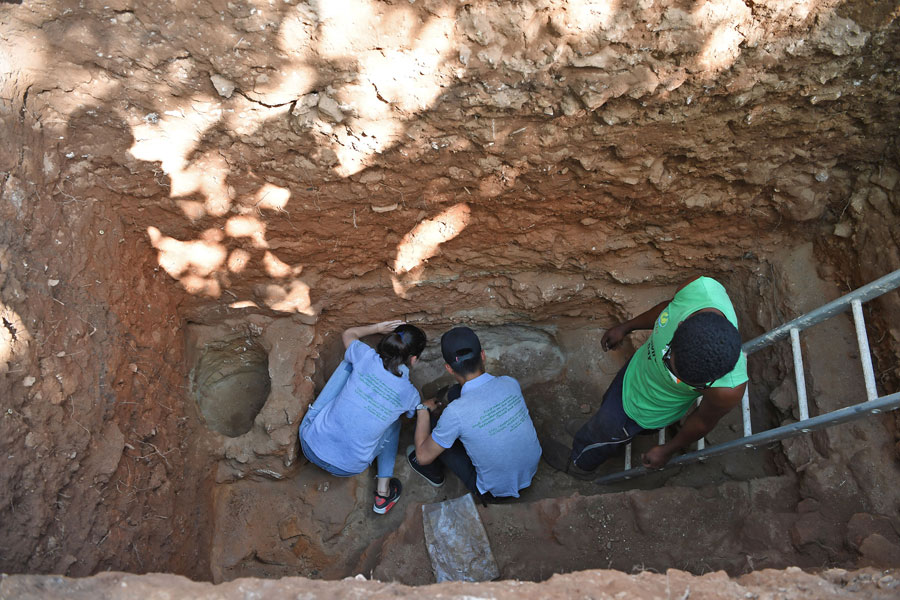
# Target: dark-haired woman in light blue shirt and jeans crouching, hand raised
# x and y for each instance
(356, 417)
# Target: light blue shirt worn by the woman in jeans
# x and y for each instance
(347, 430)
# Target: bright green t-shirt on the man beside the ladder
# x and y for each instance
(650, 395)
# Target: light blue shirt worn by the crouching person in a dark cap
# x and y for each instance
(492, 421)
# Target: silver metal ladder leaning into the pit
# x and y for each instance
(873, 404)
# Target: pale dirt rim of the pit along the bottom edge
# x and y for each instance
(792, 584)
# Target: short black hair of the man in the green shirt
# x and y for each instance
(706, 346)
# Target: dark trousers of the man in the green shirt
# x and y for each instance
(608, 431)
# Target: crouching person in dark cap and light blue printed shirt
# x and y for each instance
(484, 435)
